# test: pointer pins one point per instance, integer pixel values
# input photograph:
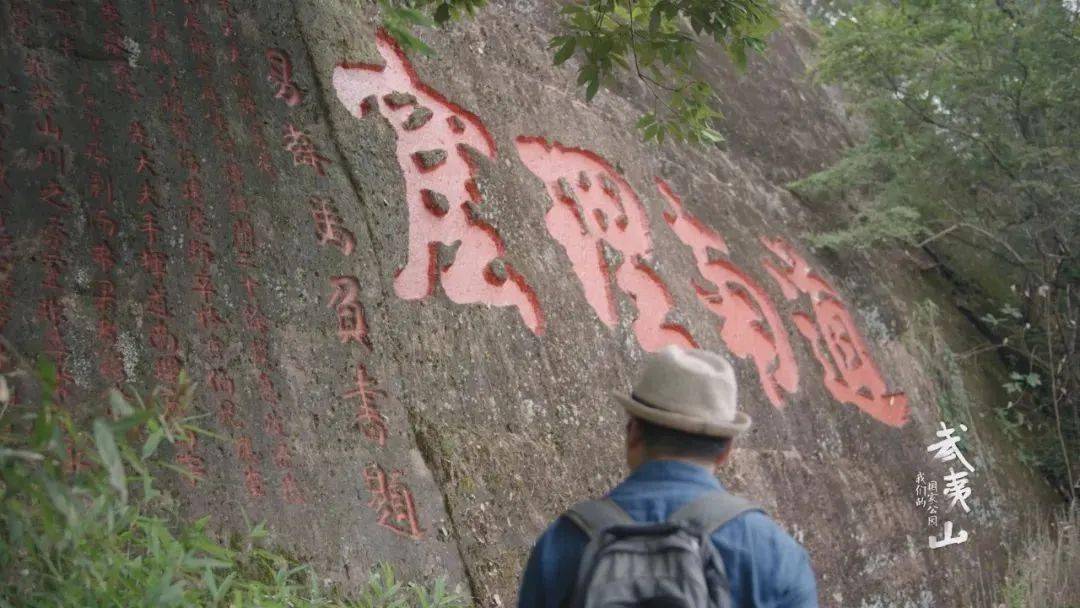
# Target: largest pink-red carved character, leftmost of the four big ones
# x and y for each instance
(444, 204)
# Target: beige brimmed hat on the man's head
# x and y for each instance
(690, 390)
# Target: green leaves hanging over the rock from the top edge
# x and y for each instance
(657, 42)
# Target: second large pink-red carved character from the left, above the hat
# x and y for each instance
(603, 227)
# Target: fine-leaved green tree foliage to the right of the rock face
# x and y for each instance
(974, 153)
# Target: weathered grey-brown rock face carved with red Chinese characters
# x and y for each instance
(407, 290)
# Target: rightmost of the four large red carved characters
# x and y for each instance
(850, 373)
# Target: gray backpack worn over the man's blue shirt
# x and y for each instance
(672, 564)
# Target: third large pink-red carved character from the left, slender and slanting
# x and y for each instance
(750, 325)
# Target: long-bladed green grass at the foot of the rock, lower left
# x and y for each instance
(84, 523)
